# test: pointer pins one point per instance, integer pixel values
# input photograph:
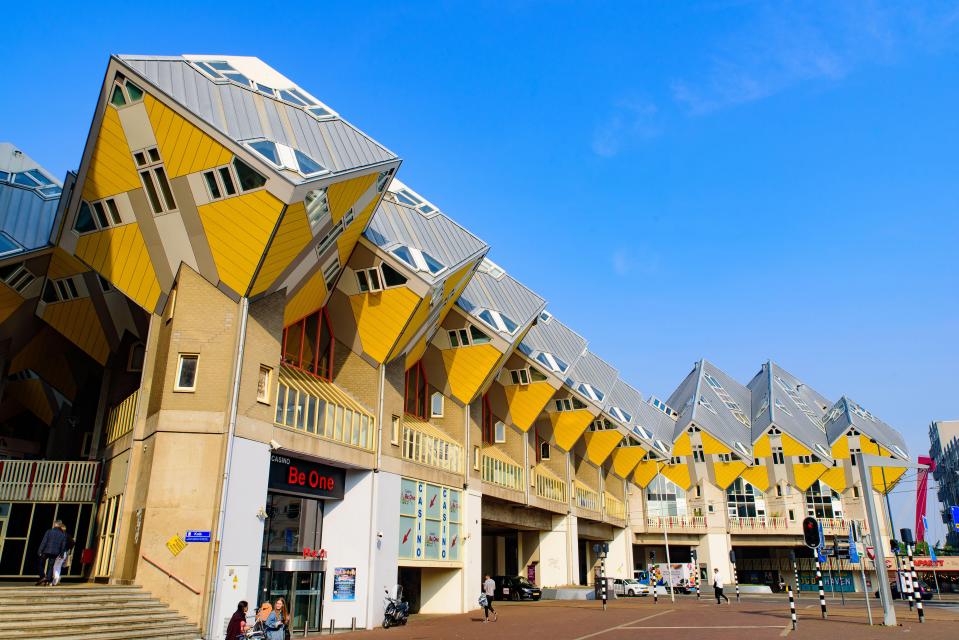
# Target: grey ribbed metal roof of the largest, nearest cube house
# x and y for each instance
(231, 109)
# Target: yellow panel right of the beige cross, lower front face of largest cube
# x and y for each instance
(238, 230)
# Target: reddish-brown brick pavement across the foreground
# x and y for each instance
(687, 618)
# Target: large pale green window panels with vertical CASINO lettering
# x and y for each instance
(430, 521)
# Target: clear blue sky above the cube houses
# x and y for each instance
(730, 180)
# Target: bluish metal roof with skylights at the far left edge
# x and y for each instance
(26, 214)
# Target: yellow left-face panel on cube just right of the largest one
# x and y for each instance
(380, 318)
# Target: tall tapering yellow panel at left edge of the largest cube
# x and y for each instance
(111, 168)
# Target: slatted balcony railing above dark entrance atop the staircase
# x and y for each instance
(48, 480)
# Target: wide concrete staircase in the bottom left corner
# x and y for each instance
(88, 612)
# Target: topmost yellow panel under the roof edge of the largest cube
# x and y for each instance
(183, 147)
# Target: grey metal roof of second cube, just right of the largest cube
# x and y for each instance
(396, 224)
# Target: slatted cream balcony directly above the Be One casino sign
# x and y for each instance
(319, 408)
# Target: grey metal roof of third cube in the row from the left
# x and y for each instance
(503, 294)
